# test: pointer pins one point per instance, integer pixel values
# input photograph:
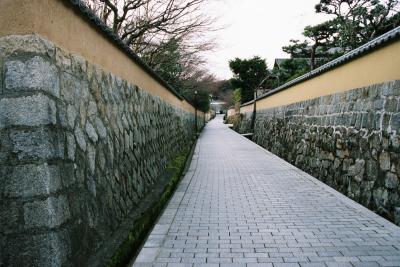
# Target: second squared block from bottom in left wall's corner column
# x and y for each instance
(50, 213)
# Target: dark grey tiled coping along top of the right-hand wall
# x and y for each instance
(369, 47)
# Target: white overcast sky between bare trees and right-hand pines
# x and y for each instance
(258, 27)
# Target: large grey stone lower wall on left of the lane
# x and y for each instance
(79, 149)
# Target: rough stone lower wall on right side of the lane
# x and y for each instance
(349, 140)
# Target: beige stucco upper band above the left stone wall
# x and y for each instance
(59, 23)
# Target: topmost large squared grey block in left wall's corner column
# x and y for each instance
(33, 74)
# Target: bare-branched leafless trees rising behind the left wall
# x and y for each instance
(169, 35)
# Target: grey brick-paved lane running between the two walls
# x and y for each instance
(239, 205)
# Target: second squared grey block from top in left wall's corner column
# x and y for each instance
(27, 111)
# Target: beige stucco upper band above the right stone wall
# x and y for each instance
(376, 67)
